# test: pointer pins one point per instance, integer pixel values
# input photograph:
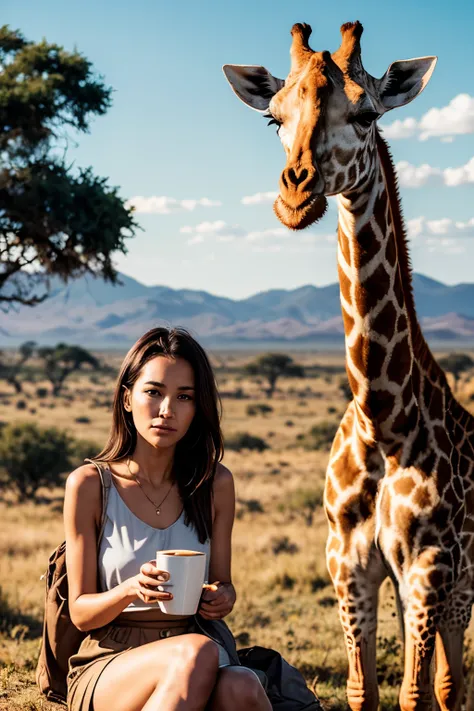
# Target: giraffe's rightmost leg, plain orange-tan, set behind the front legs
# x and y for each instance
(449, 683)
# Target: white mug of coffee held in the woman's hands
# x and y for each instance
(187, 571)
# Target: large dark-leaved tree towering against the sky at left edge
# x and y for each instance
(55, 220)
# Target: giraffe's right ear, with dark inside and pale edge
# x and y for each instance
(404, 80)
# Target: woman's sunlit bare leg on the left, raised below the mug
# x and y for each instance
(173, 674)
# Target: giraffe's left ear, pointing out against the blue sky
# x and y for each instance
(254, 85)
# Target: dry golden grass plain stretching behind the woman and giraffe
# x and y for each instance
(284, 596)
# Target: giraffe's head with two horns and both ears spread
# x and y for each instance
(326, 112)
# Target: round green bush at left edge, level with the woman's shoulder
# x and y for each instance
(31, 457)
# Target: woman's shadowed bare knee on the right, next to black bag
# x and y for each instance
(238, 688)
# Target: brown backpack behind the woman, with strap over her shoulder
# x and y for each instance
(61, 638)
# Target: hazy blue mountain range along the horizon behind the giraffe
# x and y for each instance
(94, 313)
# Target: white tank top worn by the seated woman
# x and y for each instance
(128, 542)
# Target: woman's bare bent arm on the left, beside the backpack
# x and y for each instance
(88, 608)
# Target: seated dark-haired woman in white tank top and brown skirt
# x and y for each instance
(168, 490)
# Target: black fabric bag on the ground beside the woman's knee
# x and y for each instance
(286, 687)
